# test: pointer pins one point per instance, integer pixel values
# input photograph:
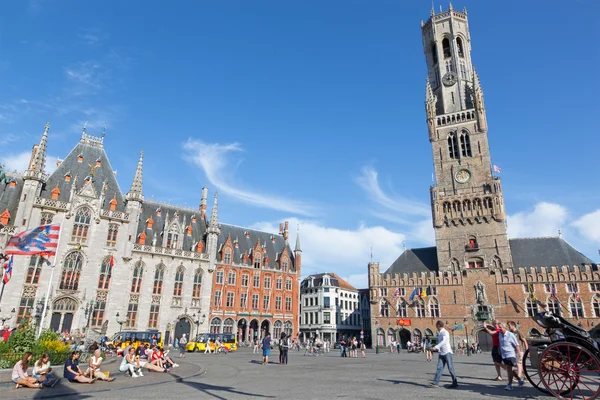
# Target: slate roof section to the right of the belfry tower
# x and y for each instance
(545, 252)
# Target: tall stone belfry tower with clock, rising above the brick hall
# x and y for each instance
(466, 202)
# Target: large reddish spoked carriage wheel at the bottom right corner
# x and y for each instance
(569, 370)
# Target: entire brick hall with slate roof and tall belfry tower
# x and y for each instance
(474, 273)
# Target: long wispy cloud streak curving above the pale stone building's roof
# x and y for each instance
(213, 158)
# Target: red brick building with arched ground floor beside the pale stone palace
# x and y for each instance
(255, 284)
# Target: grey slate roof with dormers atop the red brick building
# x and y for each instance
(246, 244)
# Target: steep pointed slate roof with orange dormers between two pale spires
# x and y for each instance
(92, 152)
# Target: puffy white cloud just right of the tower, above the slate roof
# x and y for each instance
(545, 220)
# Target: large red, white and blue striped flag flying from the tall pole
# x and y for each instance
(42, 239)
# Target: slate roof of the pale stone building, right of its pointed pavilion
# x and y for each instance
(159, 213)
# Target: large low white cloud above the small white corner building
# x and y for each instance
(343, 251)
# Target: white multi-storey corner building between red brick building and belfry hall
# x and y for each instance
(329, 307)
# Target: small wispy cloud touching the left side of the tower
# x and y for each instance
(369, 181)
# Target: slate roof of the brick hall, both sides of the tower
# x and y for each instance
(526, 252)
